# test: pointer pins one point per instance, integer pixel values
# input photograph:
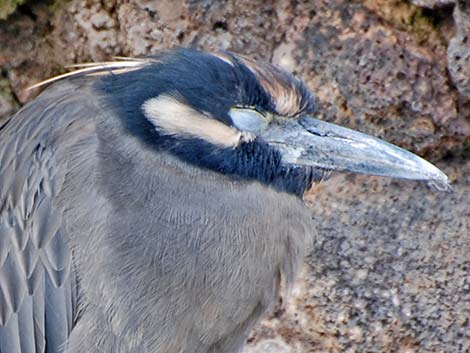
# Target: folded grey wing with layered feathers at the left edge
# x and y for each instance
(37, 282)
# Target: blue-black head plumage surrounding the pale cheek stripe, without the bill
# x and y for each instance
(207, 84)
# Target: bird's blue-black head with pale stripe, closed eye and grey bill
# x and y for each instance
(244, 119)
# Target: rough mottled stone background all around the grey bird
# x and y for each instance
(390, 269)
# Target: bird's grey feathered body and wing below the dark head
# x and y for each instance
(196, 222)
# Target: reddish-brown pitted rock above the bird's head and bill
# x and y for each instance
(379, 66)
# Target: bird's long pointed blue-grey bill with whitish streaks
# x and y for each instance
(311, 142)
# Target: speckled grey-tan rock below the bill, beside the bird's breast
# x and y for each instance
(389, 271)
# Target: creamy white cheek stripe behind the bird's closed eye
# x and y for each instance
(172, 117)
